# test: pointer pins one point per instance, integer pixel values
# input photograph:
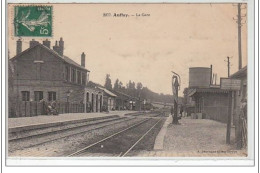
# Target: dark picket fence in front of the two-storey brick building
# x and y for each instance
(33, 108)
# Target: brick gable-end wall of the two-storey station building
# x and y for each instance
(46, 74)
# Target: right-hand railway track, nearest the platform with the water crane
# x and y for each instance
(122, 142)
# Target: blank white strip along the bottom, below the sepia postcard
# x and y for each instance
(130, 162)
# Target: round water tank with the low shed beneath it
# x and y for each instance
(211, 102)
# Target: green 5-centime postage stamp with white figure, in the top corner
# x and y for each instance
(33, 21)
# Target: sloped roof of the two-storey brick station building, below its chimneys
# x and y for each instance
(65, 58)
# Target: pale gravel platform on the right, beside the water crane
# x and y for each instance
(193, 138)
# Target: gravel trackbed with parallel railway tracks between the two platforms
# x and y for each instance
(63, 141)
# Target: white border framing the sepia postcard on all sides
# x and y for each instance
(198, 161)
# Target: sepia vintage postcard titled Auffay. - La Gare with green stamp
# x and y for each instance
(163, 80)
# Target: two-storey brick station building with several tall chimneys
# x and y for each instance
(42, 73)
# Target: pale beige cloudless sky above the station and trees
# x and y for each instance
(174, 37)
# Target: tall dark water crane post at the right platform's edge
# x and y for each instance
(175, 88)
